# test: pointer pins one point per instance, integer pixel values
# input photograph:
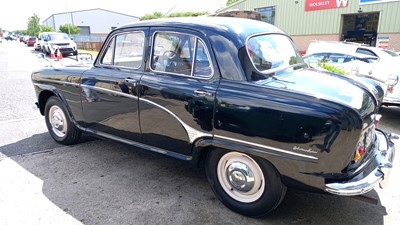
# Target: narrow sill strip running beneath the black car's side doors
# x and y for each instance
(142, 146)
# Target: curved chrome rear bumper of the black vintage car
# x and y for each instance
(382, 165)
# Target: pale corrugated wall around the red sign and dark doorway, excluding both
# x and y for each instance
(292, 18)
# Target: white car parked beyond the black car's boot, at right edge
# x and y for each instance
(364, 60)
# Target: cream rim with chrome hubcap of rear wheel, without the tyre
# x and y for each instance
(240, 177)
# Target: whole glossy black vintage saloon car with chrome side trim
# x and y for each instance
(232, 92)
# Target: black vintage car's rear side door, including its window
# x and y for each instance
(177, 90)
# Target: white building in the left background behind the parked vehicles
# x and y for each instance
(92, 22)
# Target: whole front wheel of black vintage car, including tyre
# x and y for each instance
(58, 123)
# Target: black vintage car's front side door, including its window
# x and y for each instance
(109, 90)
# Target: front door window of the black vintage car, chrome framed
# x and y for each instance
(125, 50)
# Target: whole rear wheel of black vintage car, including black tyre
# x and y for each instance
(246, 184)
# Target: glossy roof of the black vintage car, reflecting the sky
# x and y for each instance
(239, 26)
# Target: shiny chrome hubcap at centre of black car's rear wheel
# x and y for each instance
(240, 176)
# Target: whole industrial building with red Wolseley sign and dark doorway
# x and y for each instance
(373, 22)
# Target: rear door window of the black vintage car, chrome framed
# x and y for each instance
(180, 54)
